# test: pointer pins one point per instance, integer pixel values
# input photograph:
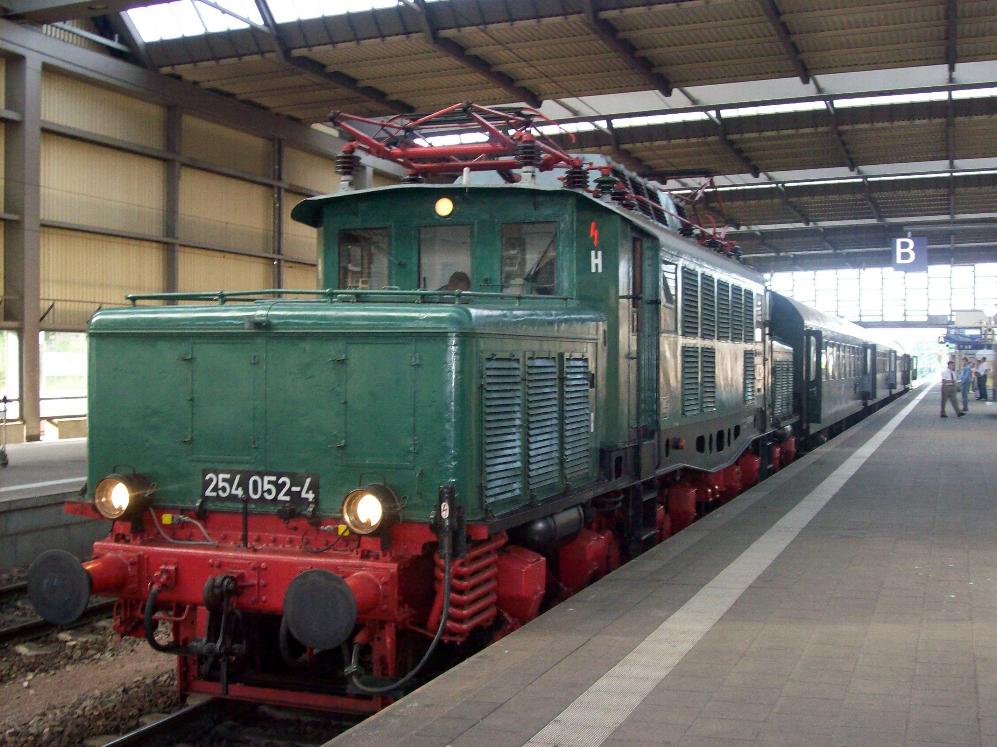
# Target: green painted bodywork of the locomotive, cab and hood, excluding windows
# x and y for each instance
(513, 398)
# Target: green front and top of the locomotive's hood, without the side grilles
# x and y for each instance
(358, 393)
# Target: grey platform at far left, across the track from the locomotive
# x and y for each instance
(40, 478)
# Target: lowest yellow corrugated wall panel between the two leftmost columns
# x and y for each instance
(82, 271)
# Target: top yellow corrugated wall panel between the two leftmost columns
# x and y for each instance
(68, 101)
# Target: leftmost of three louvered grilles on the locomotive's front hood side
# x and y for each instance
(503, 415)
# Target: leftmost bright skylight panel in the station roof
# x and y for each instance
(191, 18)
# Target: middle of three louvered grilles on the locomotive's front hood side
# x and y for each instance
(543, 437)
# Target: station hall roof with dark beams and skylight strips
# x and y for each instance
(831, 126)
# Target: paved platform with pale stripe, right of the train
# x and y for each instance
(849, 599)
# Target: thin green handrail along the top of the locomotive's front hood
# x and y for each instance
(341, 294)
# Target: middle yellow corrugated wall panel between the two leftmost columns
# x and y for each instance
(101, 187)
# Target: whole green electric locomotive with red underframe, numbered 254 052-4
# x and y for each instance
(503, 392)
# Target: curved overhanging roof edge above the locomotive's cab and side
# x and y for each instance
(309, 211)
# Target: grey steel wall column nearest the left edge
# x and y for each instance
(22, 238)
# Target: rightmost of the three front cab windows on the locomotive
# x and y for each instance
(529, 258)
